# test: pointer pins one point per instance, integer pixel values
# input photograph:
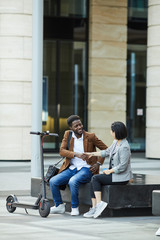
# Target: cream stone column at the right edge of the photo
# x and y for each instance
(153, 81)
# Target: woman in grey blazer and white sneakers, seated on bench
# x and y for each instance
(119, 172)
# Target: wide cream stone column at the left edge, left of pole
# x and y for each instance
(15, 79)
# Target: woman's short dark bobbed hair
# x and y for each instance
(119, 129)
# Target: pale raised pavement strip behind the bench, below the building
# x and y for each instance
(15, 177)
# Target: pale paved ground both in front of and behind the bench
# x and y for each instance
(15, 178)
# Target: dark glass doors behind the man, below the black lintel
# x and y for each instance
(64, 86)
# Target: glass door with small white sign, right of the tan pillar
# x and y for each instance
(136, 96)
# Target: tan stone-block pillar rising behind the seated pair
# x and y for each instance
(107, 65)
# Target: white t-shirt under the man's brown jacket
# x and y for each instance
(79, 148)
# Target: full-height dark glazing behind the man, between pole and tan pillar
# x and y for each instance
(64, 67)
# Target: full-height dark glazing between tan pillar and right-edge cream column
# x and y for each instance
(136, 74)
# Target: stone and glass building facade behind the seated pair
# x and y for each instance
(100, 60)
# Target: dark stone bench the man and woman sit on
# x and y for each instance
(131, 199)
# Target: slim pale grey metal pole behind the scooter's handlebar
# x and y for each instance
(37, 74)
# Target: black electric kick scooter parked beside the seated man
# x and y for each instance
(41, 203)
